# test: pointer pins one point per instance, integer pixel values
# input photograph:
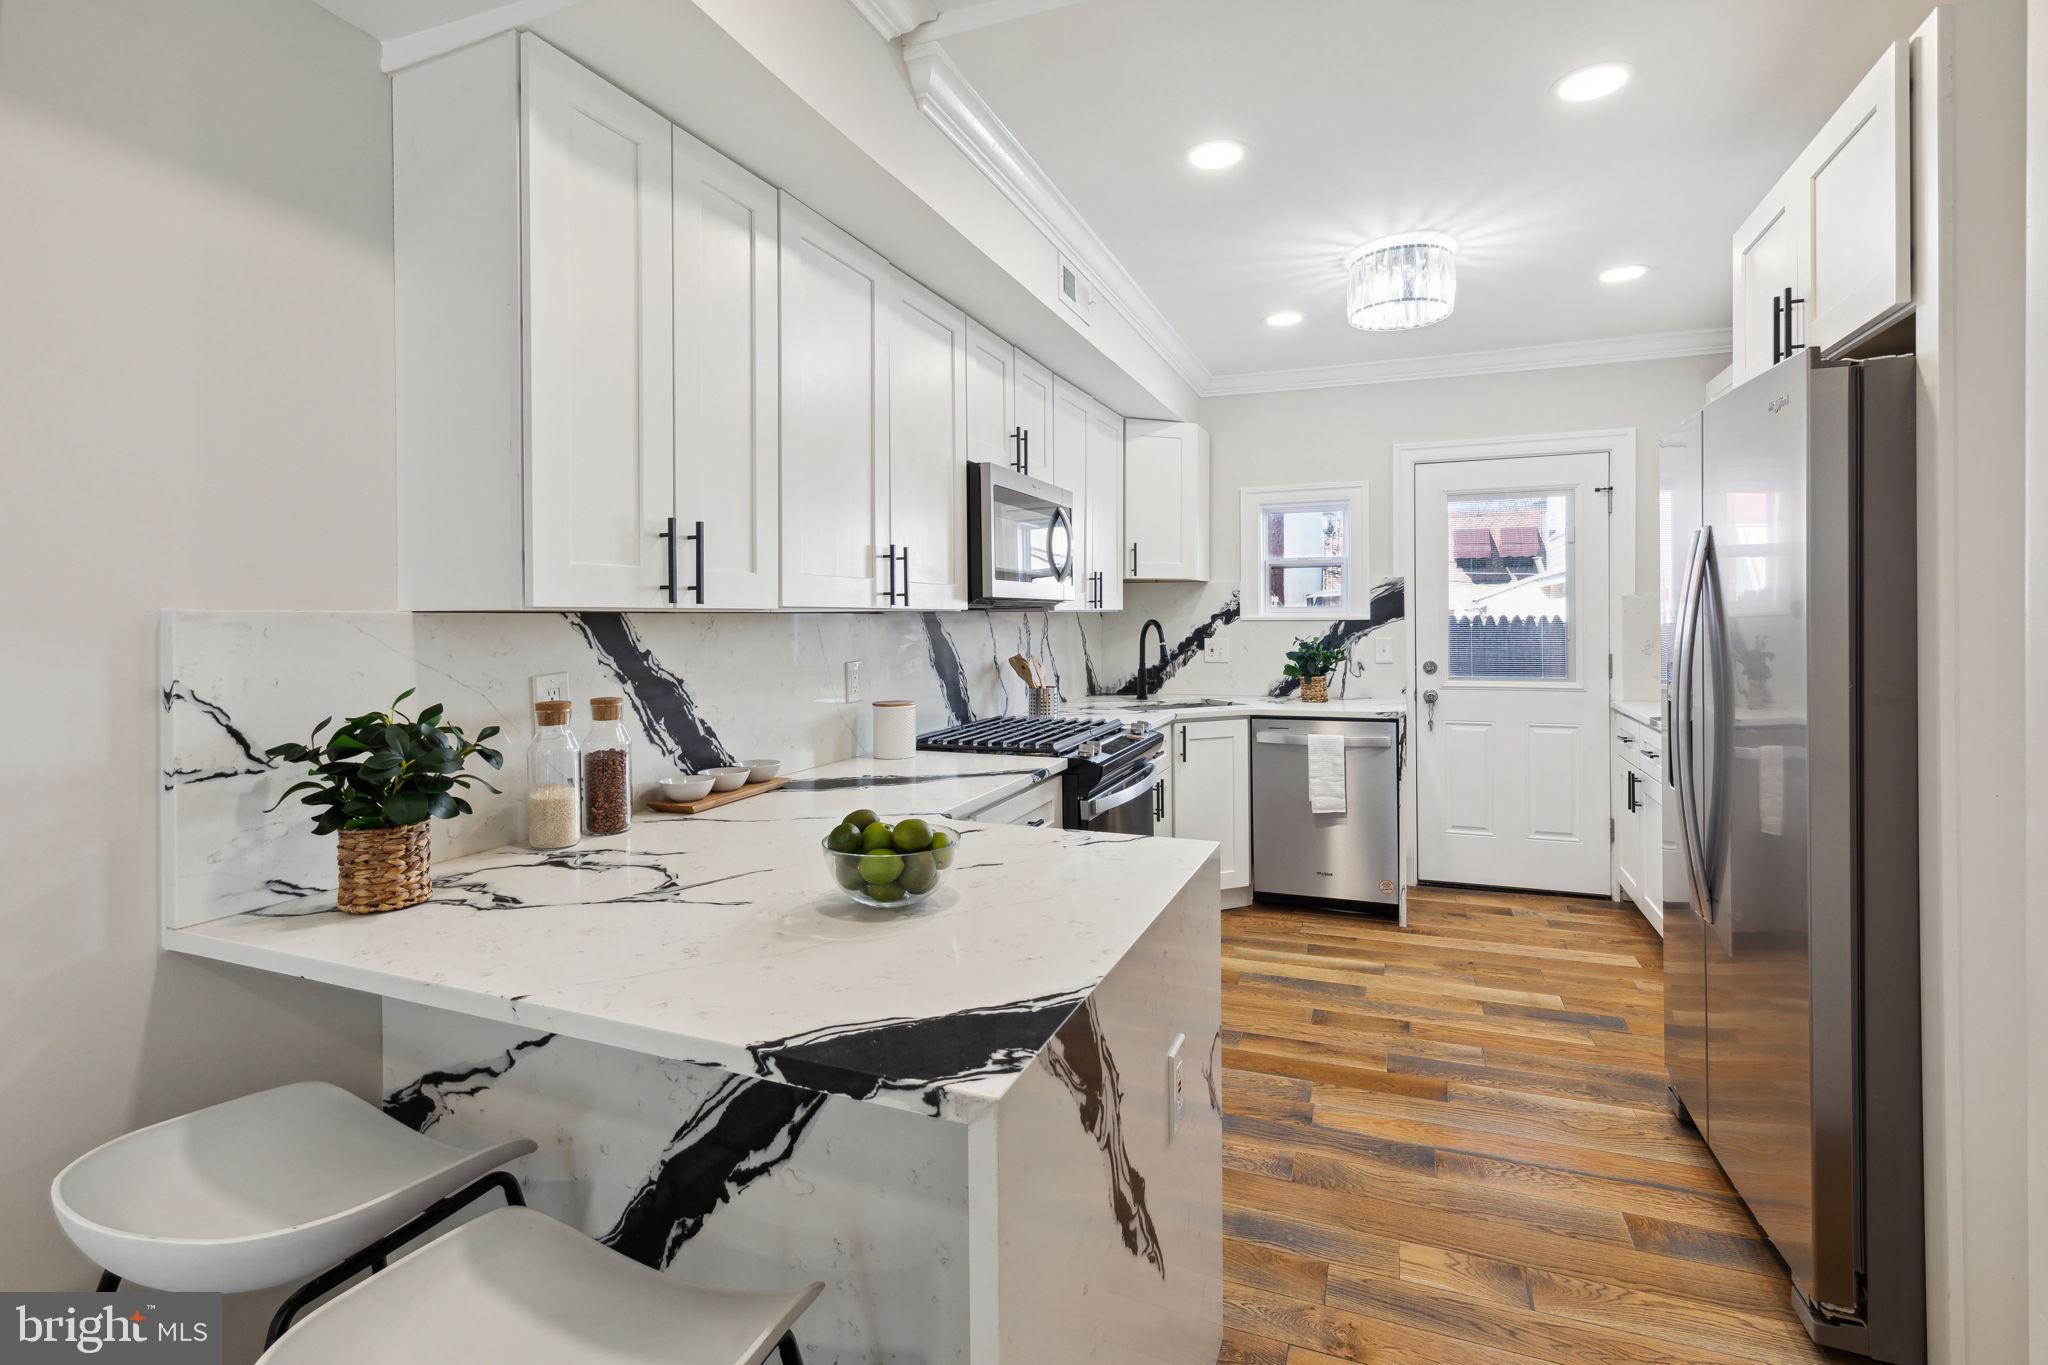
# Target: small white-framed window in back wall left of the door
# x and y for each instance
(1304, 552)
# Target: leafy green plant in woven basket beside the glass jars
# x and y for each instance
(378, 781)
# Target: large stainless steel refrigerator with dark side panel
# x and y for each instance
(1791, 826)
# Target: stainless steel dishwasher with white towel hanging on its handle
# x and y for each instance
(1345, 863)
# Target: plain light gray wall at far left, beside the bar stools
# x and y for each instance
(196, 357)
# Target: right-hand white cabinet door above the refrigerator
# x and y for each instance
(1859, 193)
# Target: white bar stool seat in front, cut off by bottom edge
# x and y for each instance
(519, 1288)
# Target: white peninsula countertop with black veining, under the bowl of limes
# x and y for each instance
(720, 938)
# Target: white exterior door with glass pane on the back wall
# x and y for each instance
(1512, 646)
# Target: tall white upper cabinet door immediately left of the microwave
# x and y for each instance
(927, 447)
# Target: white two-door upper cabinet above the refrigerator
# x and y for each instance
(1828, 259)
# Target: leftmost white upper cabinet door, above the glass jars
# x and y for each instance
(599, 339)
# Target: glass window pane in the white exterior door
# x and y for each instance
(1510, 586)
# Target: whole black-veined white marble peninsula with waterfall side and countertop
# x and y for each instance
(962, 1118)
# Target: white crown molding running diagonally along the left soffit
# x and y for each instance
(957, 109)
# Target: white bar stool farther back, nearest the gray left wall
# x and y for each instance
(267, 1190)
